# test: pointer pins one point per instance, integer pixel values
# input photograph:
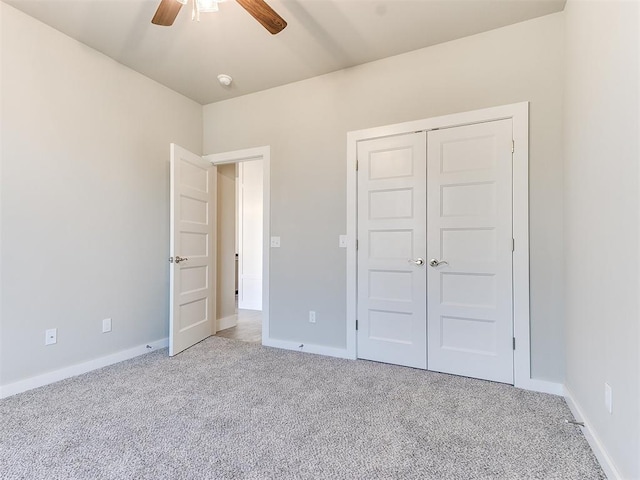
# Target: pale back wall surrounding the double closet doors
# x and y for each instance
(306, 125)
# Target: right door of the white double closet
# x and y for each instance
(469, 225)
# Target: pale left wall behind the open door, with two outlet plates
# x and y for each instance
(85, 184)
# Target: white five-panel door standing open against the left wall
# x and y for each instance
(192, 299)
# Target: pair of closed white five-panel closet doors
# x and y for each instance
(435, 283)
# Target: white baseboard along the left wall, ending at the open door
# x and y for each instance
(79, 368)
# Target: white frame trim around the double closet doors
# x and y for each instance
(519, 114)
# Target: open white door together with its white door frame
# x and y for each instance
(194, 243)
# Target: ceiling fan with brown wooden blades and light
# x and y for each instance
(258, 9)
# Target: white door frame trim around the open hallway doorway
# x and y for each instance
(258, 153)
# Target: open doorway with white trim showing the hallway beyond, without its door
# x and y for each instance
(243, 229)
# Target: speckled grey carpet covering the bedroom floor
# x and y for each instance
(225, 409)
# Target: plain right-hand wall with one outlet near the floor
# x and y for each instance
(602, 261)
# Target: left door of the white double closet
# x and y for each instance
(391, 233)
